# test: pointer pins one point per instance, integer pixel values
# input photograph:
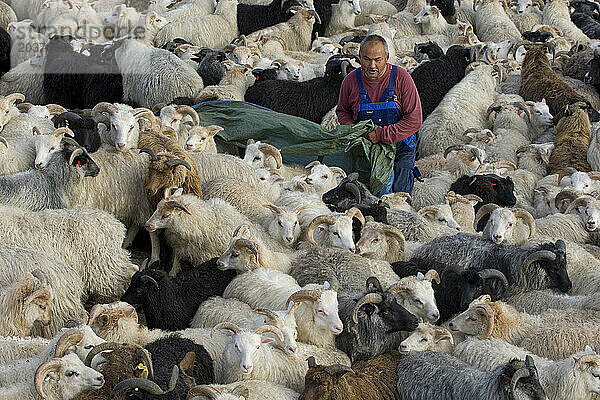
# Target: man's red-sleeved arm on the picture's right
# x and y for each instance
(410, 106)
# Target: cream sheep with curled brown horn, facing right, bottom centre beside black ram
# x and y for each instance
(277, 290)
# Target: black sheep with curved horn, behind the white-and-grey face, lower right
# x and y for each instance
(458, 286)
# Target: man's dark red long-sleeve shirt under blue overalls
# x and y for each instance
(408, 101)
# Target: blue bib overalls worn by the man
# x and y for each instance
(383, 113)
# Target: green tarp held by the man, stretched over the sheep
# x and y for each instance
(301, 140)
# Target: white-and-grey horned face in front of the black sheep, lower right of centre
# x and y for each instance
(416, 295)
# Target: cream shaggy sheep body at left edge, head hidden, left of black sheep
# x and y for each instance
(104, 272)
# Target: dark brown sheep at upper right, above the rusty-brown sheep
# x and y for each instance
(539, 81)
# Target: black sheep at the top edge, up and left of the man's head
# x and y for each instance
(254, 17)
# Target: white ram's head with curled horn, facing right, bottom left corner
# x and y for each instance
(66, 377)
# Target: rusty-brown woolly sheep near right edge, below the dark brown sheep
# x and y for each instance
(573, 137)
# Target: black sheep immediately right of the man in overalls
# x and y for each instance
(435, 78)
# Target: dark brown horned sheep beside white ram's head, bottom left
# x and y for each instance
(123, 362)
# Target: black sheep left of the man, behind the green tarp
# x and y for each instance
(311, 99)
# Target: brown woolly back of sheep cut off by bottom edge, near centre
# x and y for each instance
(373, 379)
